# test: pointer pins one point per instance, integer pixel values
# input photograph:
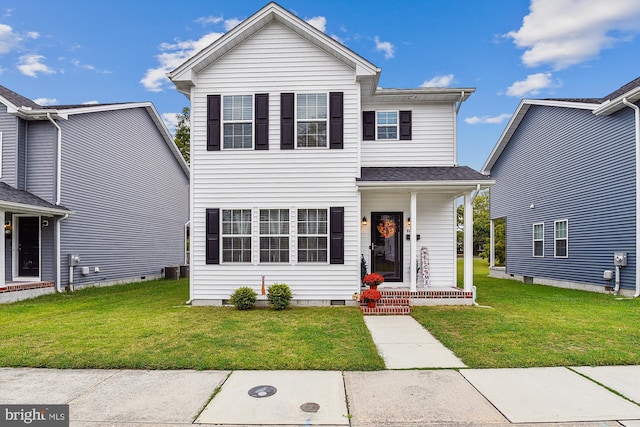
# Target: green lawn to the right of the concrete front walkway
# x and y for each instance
(533, 325)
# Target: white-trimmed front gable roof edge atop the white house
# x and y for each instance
(184, 76)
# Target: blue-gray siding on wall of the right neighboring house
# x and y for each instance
(569, 164)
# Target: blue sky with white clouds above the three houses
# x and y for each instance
(79, 51)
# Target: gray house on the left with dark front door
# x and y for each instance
(89, 194)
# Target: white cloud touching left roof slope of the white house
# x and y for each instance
(174, 54)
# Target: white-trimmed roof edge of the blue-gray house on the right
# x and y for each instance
(599, 106)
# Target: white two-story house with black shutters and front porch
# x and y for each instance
(302, 167)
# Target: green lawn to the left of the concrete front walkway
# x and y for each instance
(147, 326)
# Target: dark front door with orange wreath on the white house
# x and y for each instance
(386, 245)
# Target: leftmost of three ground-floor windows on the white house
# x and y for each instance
(236, 235)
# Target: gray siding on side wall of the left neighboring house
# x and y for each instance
(128, 194)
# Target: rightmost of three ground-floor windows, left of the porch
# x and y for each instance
(312, 235)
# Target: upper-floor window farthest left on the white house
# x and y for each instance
(237, 119)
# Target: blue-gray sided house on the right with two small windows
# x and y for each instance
(567, 179)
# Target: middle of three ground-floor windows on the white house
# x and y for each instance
(274, 235)
